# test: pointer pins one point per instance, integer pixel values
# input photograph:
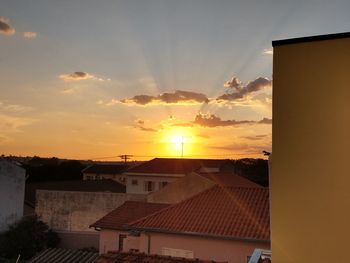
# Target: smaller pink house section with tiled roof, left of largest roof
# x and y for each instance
(111, 227)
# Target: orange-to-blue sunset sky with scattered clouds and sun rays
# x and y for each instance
(97, 79)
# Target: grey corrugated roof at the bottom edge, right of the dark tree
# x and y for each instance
(59, 255)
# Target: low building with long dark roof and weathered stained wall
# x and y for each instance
(69, 207)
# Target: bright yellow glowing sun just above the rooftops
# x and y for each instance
(179, 142)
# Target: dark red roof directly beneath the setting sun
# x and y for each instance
(175, 166)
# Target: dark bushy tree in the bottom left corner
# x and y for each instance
(27, 237)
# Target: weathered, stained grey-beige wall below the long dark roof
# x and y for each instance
(75, 211)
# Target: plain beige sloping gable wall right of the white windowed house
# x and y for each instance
(181, 189)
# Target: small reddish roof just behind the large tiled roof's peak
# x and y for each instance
(229, 179)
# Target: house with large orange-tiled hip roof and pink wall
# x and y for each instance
(222, 224)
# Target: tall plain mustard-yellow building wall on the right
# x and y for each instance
(311, 150)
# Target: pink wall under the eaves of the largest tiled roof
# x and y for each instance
(202, 248)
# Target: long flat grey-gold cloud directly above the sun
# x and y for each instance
(178, 97)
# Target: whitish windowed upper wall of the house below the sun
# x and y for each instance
(139, 188)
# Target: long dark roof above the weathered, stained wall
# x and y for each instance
(105, 185)
